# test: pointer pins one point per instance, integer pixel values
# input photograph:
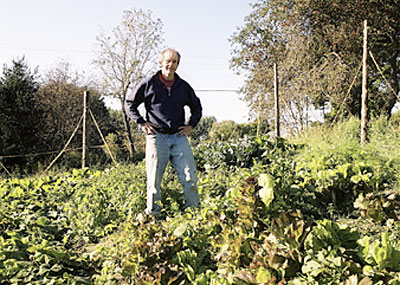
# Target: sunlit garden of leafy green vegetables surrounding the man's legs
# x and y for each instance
(272, 212)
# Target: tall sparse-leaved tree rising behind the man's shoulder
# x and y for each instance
(127, 55)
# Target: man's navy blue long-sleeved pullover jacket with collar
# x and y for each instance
(164, 107)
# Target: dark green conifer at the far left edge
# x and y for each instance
(20, 115)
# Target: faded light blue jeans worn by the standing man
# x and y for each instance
(160, 149)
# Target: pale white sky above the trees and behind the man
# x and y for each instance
(49, 31)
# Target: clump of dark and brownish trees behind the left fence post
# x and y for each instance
(38, 115)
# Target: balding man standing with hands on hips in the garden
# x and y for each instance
(164, 96)
